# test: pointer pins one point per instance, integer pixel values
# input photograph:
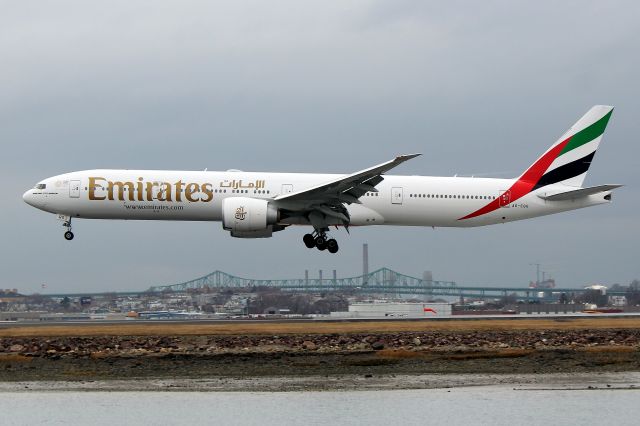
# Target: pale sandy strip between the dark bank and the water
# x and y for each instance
(557, 381)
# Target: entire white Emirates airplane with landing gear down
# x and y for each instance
(257, 204)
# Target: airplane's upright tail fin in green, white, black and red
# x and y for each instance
(568, 160)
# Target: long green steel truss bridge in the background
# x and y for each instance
(383, 281)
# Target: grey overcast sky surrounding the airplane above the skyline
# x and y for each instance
(313, 86)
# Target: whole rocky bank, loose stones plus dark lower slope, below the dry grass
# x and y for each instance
(364, 355)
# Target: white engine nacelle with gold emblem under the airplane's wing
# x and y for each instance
(248, 217)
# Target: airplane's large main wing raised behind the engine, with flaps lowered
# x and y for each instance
(328, 199)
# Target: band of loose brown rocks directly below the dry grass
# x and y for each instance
(101, 346)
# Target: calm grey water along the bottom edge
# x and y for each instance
(484, 405)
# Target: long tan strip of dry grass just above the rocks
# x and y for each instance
(132, 328)
